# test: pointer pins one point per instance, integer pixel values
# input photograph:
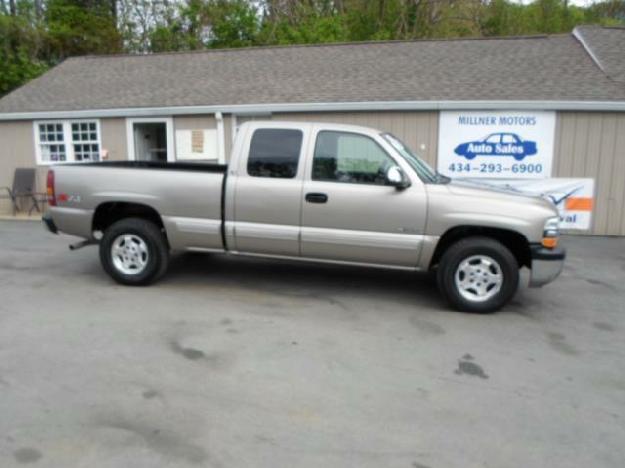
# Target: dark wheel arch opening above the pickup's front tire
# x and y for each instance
(516, 242)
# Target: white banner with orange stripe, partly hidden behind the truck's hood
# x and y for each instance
(574, 198)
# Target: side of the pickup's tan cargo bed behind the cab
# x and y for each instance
(186, 196)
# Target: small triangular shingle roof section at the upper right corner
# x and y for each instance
(607, 46)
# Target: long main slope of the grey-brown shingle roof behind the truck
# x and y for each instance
(553, 68)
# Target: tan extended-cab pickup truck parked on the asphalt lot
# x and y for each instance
(312, 192)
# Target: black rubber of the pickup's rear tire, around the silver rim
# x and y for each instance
(157, 251)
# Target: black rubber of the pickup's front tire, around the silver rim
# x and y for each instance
(476, 246)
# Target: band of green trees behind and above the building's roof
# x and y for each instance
(37, 34)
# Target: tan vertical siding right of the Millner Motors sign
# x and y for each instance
(592, 144)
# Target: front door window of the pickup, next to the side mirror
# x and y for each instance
(349, 157)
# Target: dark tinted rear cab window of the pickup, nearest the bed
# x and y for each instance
(274, 152)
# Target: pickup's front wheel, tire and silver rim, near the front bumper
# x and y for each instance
(478, 274)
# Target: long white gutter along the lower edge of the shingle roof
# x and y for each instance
(267, 109)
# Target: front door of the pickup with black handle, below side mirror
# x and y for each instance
(348, 213)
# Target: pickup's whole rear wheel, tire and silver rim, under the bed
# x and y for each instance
(133, 251)
